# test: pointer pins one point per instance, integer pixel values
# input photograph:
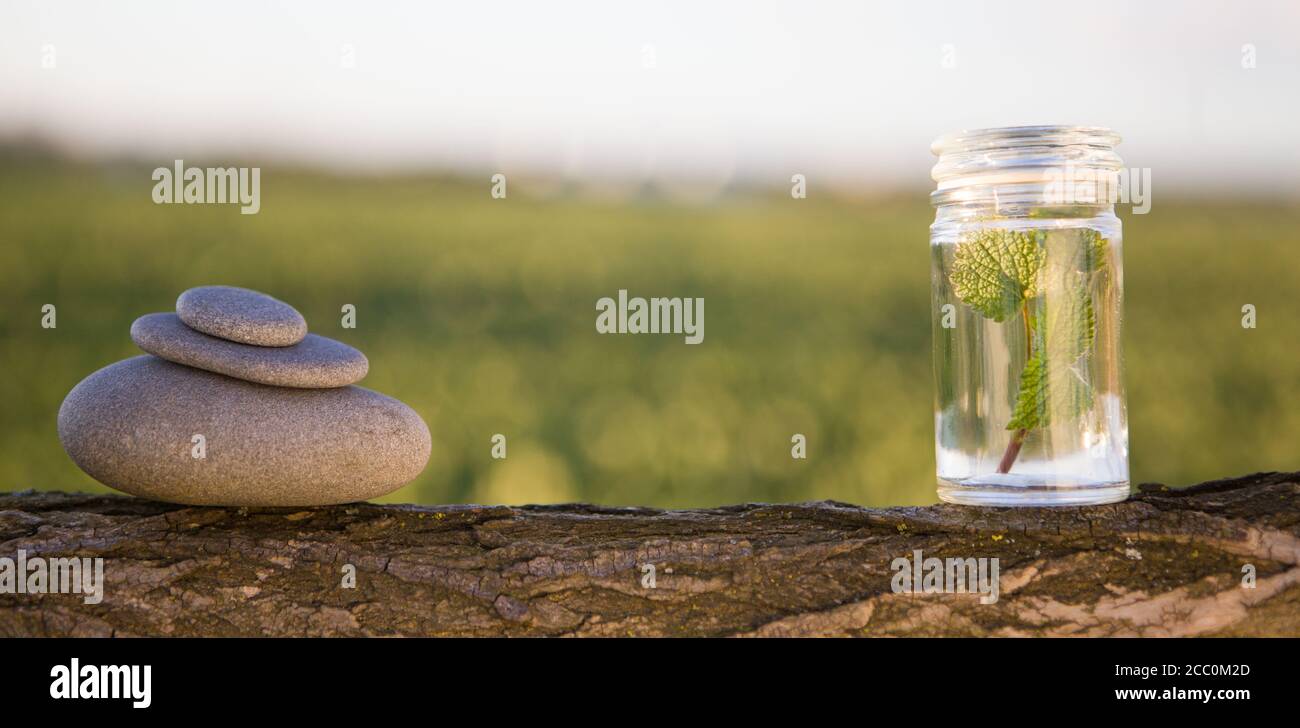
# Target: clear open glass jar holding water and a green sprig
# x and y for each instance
(1028, 292)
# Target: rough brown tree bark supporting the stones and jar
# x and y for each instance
(1164, 564)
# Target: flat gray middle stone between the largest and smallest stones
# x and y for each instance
(314, 363)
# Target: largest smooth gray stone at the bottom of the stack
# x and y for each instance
(132, 426)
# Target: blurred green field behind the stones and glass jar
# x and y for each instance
(480, 314)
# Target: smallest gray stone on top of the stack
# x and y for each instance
(241, 315)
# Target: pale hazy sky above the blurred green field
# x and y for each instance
(1207, 94)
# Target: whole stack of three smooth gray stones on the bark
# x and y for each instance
(237, 405)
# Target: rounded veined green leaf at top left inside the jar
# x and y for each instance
(996, 271)
